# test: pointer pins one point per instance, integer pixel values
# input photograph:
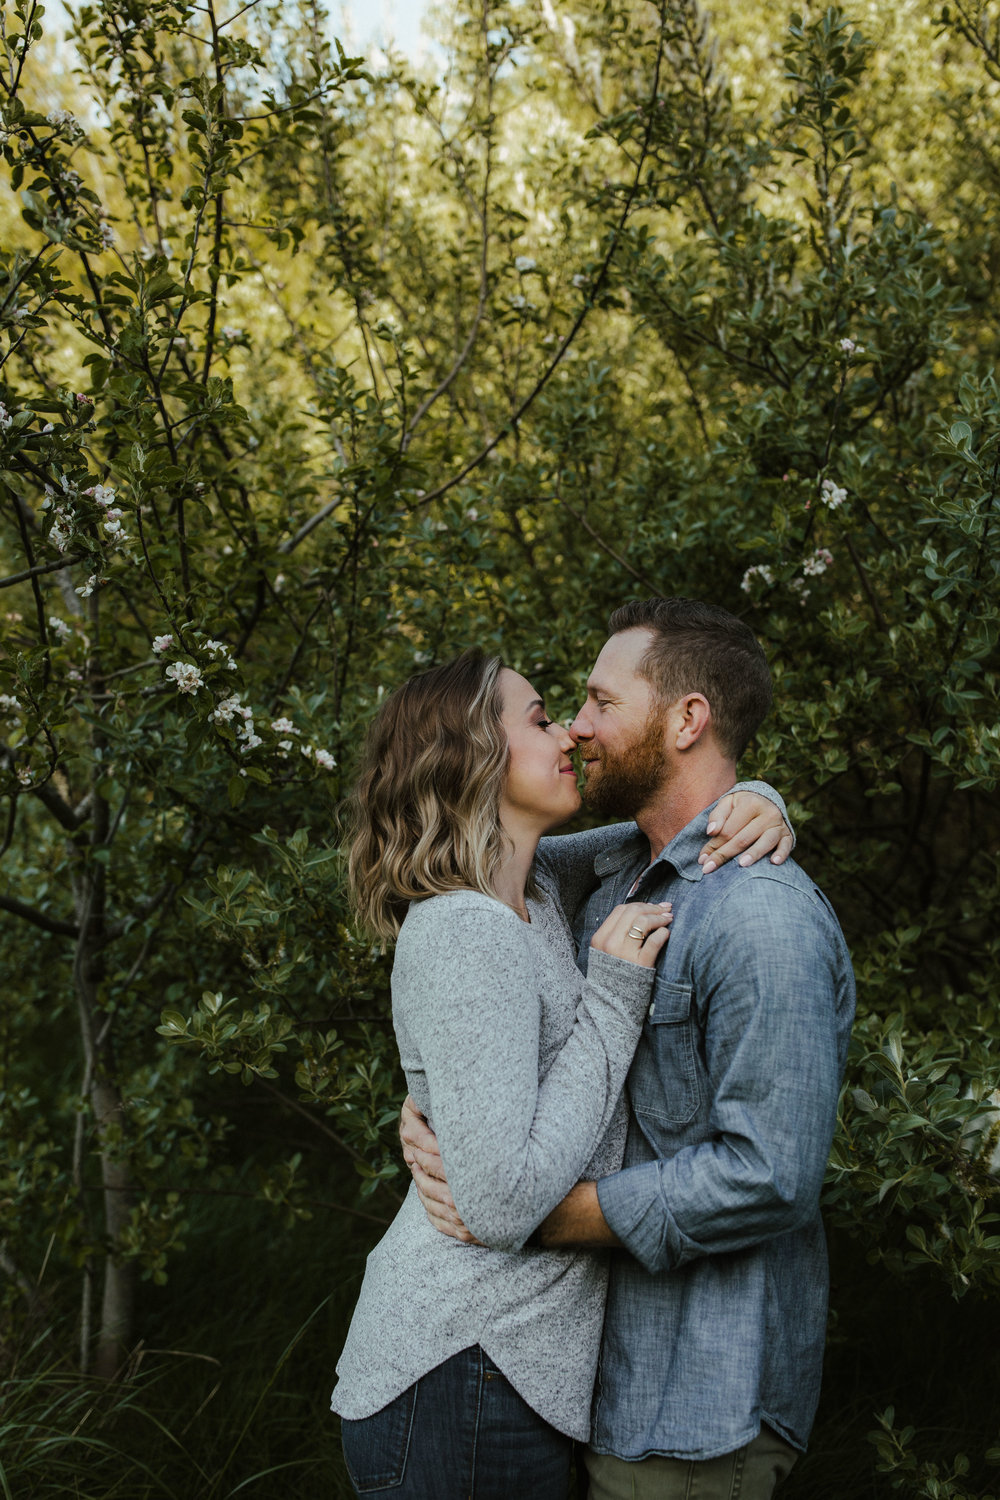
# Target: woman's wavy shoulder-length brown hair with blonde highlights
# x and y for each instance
(425, 812)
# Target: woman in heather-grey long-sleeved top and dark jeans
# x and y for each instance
(469, 1369)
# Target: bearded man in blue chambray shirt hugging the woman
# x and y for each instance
(717, 1306)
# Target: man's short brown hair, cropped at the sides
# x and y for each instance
(702, 649)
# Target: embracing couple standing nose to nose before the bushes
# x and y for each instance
(624, 1054)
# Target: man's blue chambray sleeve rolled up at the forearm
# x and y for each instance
(777, 994)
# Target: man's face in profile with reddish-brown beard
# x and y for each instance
(620, 731)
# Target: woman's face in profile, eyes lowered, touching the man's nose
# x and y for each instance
(540, 791)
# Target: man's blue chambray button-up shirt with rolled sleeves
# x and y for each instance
(717, 1310)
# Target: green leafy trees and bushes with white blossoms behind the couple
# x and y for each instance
(313, 373)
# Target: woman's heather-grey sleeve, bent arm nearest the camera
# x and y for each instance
(512, 1145)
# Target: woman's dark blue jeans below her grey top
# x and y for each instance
(460, 1433)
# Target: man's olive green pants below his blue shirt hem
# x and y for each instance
(750, 1474)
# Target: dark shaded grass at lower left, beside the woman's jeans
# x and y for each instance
(230, 1391)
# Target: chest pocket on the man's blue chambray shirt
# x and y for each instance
(663, 1082)
